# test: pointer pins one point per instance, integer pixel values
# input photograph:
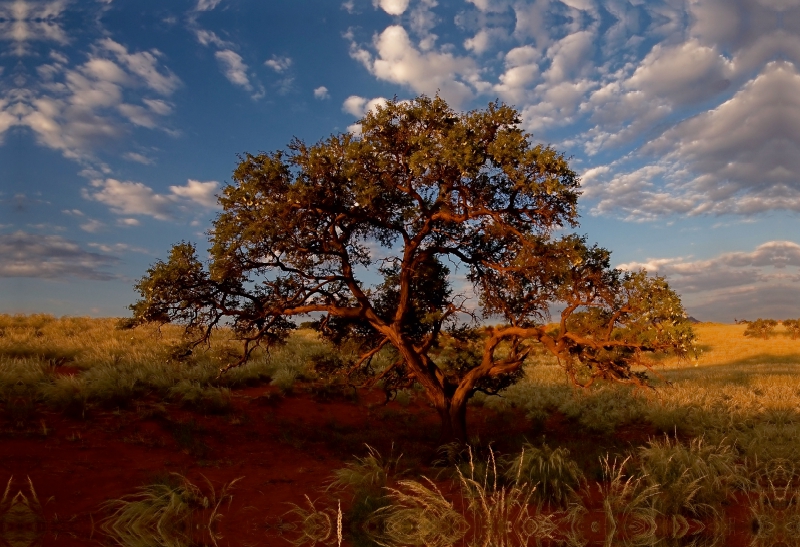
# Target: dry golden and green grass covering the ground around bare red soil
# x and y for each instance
(727, 423)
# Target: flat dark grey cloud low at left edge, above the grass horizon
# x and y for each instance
(24, 254)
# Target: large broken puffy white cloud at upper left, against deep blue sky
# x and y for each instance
(76, 109)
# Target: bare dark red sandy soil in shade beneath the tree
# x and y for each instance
(284, 448)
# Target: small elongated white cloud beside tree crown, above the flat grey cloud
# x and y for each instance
(136, 198)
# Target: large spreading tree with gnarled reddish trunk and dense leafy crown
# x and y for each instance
(368, 231)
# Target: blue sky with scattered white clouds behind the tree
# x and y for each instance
(120, 120)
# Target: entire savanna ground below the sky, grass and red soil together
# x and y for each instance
(129, 437)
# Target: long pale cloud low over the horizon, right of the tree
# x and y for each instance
(761, 282)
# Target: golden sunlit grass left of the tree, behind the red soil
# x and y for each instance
(114, 367)
